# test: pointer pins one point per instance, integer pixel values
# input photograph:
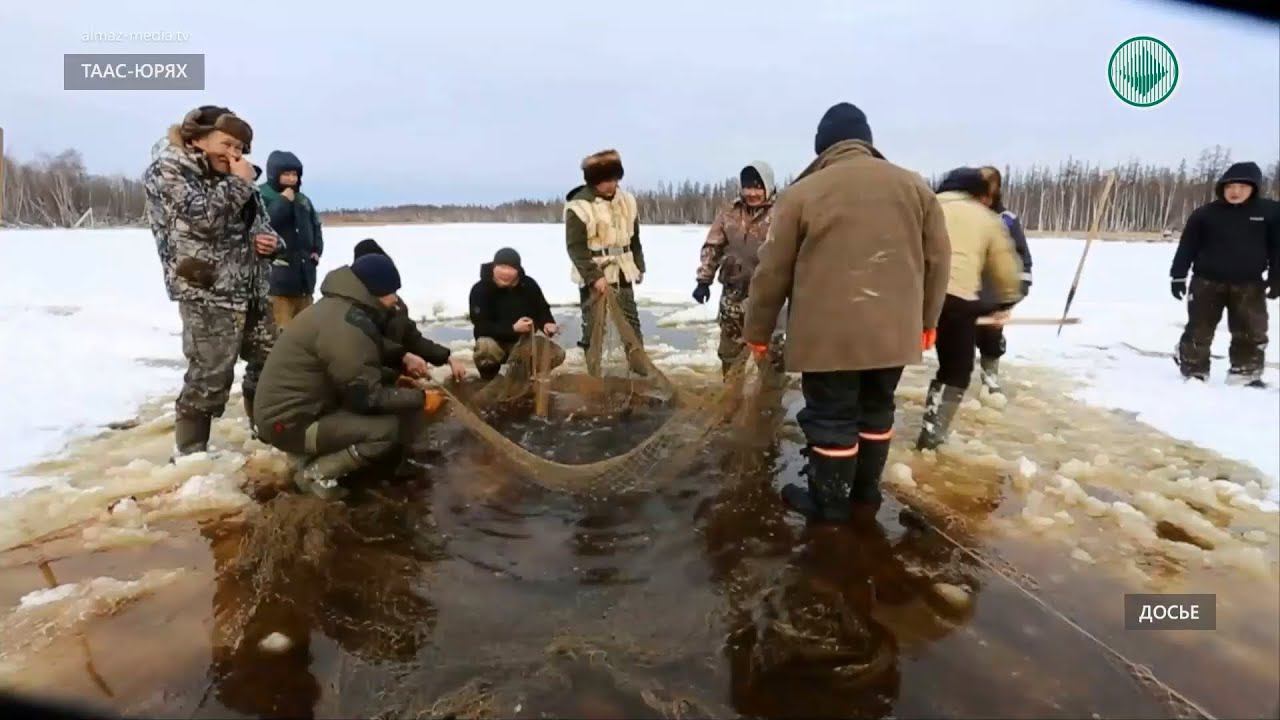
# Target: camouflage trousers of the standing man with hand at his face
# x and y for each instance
(213, 339)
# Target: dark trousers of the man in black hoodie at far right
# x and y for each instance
(1246, 317)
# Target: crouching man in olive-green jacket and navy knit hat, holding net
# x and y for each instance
(327, 391)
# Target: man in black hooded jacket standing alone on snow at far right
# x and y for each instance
(1228, 245)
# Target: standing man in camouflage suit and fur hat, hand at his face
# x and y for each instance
(216, 244)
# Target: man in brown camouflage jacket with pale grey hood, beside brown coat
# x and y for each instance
(733, 249)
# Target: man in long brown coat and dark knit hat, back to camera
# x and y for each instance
(860, 247)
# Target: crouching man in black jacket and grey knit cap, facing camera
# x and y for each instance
(508, 306)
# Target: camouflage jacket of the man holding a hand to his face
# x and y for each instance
(204, 225)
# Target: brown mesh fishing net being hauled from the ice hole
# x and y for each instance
(621, 381)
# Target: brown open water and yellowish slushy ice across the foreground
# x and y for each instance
(203, 590)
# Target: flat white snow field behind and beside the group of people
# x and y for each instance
(88, 334)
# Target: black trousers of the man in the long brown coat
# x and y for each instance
(838, 407)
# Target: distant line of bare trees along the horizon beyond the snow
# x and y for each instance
(57, 192)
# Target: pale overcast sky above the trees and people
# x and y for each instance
(429, 102)
